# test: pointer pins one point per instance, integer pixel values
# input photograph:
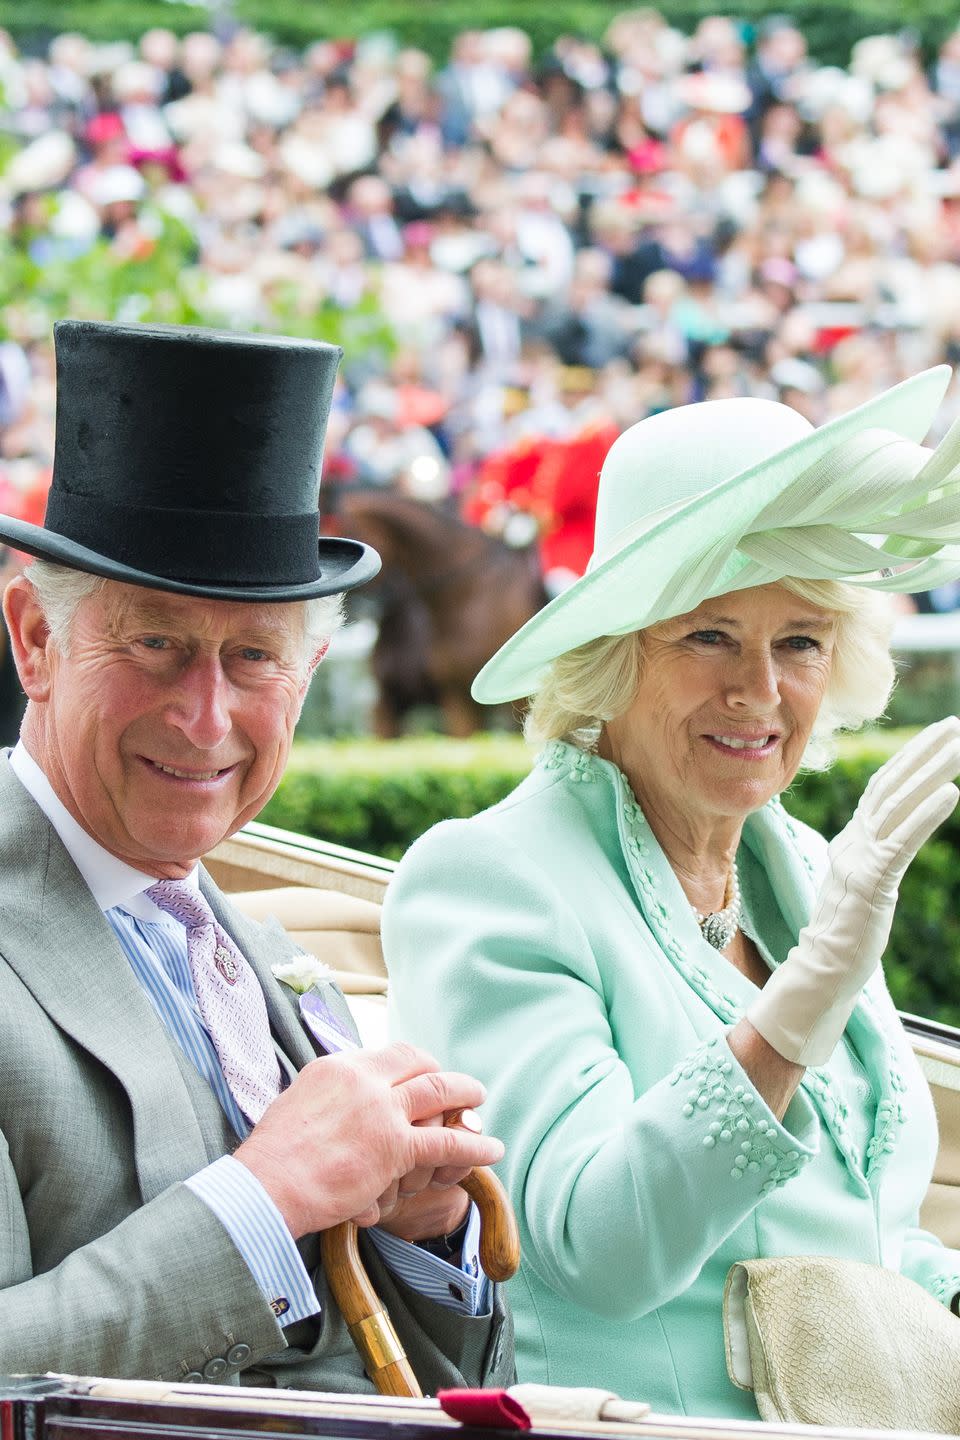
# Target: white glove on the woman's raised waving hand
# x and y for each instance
(804, 1009)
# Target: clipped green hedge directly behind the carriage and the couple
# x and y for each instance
(381, 797)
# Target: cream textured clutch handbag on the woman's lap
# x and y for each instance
(837, 1343)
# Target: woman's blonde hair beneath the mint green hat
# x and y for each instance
(592, 685)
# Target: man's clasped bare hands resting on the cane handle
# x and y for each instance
(353, 1127)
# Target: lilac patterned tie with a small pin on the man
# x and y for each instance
(230, 999)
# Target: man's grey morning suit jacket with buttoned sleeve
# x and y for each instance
(109, 1264)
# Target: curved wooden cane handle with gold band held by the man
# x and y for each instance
(365, 1313)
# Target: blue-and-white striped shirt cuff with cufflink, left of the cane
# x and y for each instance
(260, 1233)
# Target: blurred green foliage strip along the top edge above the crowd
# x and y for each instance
(831, 28)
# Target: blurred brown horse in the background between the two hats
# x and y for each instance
(451, 595)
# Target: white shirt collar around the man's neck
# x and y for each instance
(110, 881)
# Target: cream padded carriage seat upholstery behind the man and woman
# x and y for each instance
(345, 932)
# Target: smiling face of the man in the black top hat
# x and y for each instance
(168, 724)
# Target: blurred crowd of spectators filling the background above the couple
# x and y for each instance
(555, 246)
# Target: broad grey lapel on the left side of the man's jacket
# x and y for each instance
(58, 942)
